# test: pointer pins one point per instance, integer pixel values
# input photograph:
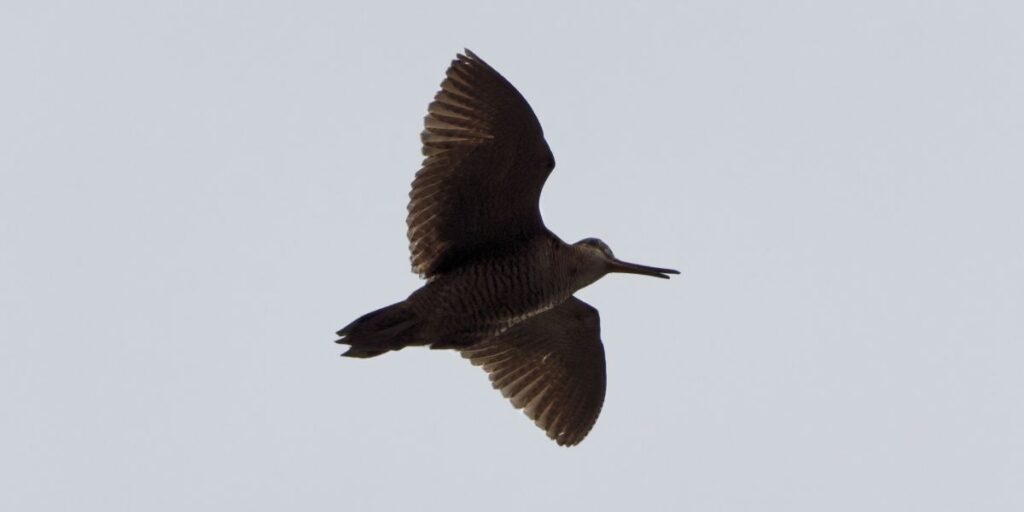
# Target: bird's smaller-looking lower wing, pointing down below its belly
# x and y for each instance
(552, 366)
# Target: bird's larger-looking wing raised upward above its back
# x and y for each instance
(486, 163)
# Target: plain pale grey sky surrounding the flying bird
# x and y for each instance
(195, 196)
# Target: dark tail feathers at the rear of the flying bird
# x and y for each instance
(388, 329)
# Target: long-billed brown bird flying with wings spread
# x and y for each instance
(500, 285)
